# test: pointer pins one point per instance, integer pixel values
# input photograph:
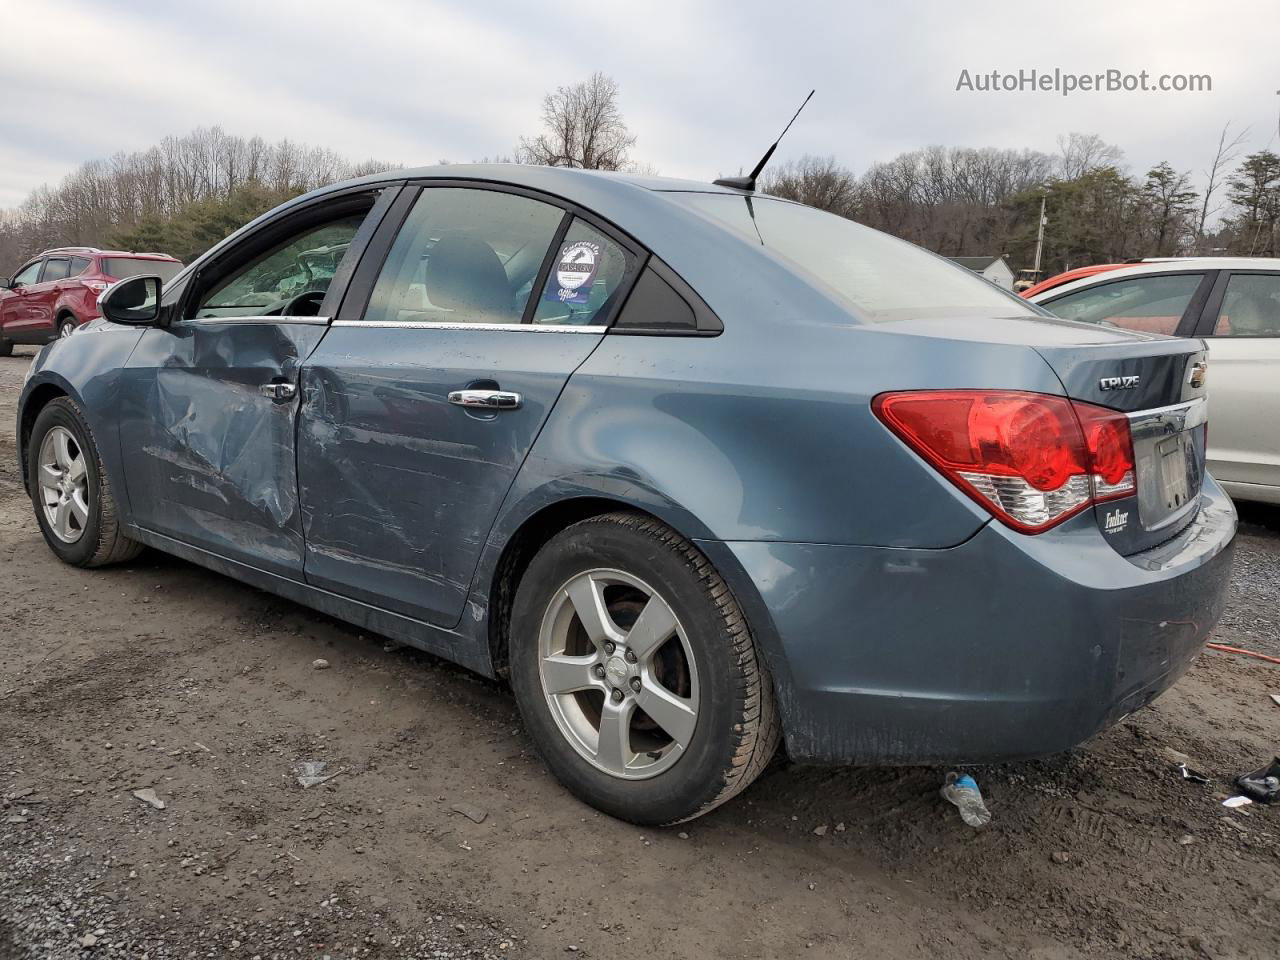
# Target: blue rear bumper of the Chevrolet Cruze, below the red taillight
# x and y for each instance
(1005, 647)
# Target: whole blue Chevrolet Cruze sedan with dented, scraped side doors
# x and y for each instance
(697, 470)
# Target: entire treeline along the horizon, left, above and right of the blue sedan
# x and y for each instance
(189, 193)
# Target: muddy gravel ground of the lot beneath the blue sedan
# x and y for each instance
(162, 676)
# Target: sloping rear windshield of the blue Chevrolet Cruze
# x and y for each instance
(883, 277)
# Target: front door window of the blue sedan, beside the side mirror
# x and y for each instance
(273, 282)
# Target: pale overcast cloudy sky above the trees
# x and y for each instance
(706, 86)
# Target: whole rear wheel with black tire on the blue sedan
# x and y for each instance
(637, 675)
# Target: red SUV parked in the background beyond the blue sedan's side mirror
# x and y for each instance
(58, 291)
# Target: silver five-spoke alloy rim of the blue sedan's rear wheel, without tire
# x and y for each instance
(619, 674)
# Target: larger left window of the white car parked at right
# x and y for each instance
(1154, 304)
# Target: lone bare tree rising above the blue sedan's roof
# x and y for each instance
(584, 129)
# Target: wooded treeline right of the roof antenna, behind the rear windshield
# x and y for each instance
(962, 202)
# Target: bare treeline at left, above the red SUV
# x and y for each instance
(179, 198)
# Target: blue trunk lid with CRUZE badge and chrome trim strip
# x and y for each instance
(1153, 380)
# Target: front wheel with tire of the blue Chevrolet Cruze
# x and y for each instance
(71, 492)
